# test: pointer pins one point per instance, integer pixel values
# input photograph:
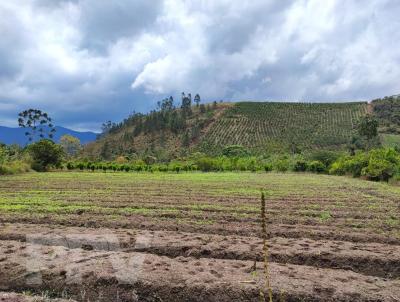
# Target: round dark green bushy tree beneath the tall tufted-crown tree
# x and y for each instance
(45, 153)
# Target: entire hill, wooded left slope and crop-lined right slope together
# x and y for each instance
(260, 127)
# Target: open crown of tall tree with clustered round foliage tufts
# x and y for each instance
(38, 124)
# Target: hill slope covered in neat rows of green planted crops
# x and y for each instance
(279, 126)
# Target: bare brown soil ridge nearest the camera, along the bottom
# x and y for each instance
(109, 276)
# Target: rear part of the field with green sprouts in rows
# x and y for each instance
(200, 200)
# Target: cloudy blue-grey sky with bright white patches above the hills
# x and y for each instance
(88, 61)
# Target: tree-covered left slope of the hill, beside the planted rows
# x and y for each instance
(166, 133)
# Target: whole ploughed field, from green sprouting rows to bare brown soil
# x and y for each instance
(196, 236)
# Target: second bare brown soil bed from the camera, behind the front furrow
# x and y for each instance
(375, 259)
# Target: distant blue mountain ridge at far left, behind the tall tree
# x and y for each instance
(17, 135)
